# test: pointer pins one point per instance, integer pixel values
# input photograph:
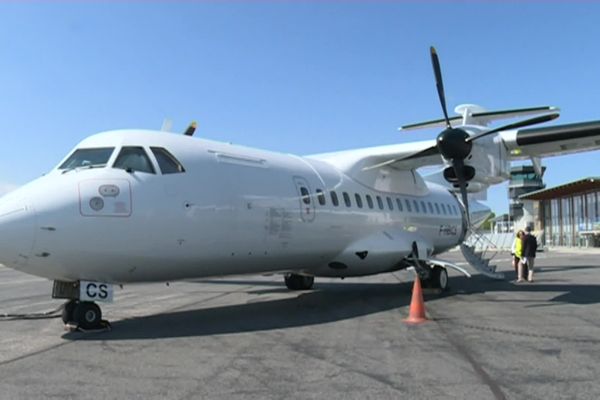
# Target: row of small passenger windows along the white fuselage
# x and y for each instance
(396, 203)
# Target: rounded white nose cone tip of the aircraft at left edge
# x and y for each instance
(17, 230)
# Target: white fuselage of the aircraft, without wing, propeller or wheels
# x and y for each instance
(233, 210)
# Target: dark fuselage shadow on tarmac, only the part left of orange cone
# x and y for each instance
(327, 303)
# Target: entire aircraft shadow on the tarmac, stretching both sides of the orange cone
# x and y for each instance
(328, 302)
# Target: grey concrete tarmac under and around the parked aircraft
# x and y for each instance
(251, 338)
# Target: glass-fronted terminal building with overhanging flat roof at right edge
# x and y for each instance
(566, 215)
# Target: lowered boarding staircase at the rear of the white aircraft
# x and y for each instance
(479, 251)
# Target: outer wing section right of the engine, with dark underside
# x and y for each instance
(552, 140)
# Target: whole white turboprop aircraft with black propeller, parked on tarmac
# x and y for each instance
(132, 206)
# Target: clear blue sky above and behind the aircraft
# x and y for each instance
(297, 77)
